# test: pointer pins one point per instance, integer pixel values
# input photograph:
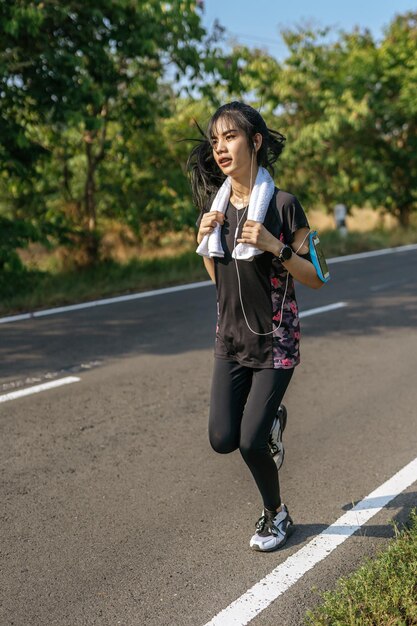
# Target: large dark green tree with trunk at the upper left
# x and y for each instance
(79, 76)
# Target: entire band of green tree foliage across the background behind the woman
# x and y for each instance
(97, 98)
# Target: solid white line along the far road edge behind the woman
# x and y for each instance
(167, 290)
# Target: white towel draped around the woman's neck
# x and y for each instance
(260, 198)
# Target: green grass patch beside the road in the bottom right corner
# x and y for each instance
(383, 592)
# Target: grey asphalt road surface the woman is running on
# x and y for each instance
(114, 508)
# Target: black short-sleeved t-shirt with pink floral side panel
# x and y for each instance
(263, 283)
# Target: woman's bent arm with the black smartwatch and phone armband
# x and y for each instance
(301, 269)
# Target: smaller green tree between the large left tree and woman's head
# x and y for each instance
(144, 182)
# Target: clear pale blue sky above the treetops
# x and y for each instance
(259, 22)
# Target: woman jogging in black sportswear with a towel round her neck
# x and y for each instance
(253, 263)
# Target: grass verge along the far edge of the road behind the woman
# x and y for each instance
(38, 289)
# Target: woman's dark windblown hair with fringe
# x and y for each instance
(204, 173)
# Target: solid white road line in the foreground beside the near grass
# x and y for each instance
(257, 598)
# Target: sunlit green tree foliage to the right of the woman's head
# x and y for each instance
(348, 108)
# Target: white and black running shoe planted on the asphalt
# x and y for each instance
(272, 530)
